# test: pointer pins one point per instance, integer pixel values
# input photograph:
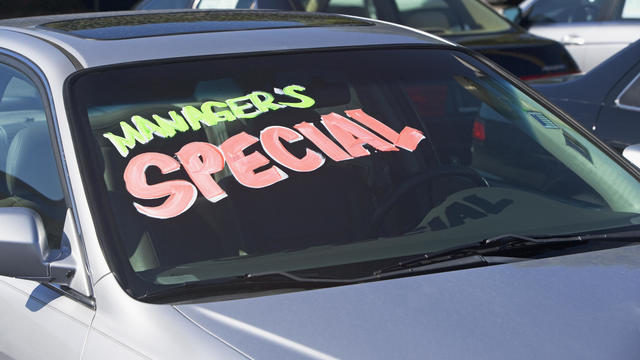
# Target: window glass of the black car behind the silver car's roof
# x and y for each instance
(442, 17)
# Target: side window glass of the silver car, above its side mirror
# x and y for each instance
(28, 172)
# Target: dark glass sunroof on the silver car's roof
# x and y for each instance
(157, 24)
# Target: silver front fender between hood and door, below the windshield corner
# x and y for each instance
(133, 329)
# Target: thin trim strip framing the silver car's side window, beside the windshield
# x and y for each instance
(67, 181)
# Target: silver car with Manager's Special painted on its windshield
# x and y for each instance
(242, 185)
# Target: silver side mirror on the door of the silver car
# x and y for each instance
(24, 252)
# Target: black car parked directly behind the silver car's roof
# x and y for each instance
(466, 22)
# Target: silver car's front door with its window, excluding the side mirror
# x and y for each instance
(38, 321)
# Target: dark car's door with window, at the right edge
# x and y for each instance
(618, 123)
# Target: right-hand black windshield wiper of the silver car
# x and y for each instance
(503, 244)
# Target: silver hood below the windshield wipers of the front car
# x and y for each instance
(584, 306)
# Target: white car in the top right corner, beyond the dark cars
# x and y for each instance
(592, 30)
